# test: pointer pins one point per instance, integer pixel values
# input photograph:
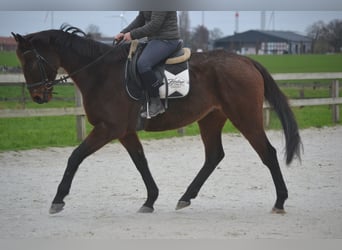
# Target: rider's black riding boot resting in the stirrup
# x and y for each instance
(154, 106)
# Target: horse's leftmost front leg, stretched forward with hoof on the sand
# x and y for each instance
(98, 137)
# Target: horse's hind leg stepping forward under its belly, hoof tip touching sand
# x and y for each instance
(211, 128)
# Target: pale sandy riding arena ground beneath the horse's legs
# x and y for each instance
(235, 202)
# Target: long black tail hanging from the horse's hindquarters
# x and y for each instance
(279, 103)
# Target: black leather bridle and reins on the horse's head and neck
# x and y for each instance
(49, 84)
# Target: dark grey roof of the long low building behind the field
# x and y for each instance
(262, 35)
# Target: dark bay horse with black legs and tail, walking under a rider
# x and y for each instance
(223, 86)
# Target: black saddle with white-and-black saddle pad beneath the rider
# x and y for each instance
(173, 73)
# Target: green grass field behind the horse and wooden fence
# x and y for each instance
(40, 132)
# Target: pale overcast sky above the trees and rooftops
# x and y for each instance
(111, 22)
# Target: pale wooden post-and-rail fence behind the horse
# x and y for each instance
(78, 111)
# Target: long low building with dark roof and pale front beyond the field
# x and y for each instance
(265, 42)
